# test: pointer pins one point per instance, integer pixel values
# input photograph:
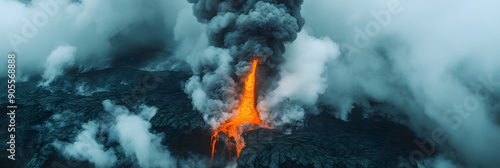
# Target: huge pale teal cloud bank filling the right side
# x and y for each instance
(433, 66)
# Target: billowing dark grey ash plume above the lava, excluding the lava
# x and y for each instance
(239, 31)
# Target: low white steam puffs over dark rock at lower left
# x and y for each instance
(131, 131)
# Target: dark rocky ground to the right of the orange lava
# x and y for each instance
(328, 142)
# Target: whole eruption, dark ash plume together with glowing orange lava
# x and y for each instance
(241, 35)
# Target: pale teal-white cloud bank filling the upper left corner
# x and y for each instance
(97, 29)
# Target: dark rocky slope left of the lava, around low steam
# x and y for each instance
(77, 97)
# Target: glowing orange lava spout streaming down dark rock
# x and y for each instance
(246, 114)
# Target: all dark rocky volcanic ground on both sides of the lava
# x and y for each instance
(57, 112)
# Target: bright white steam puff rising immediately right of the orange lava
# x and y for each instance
(303, 79)
